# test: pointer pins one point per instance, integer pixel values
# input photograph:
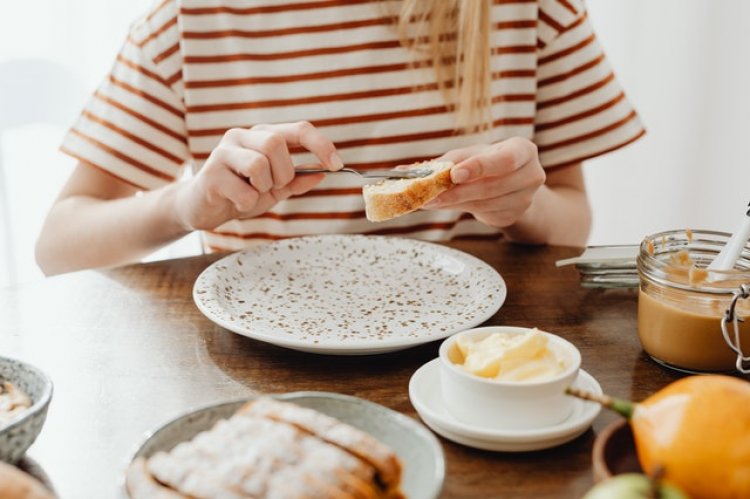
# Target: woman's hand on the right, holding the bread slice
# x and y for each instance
(496, 183)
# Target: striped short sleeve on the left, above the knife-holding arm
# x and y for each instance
(133, 127)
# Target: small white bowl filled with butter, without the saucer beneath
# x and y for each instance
(508, 378)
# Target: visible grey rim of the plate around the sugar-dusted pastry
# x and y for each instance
(419, 450)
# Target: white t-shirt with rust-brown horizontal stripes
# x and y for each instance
(192, 69)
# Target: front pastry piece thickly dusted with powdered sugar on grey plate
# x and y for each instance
(248, 456)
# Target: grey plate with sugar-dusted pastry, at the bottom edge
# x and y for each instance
(301, 444)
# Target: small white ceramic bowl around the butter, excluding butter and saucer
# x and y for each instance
(507, 405)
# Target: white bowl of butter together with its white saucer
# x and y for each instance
(502, 389)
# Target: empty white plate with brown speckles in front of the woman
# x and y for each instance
(340, 294)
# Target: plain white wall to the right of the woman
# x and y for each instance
(684, 65)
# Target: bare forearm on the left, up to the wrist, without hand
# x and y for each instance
(84, 232)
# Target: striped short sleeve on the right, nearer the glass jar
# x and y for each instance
(582, 110)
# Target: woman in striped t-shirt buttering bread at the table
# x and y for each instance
(516, 93)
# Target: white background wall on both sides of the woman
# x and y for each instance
(682, 62)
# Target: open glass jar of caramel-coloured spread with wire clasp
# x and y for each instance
(681, 305)
